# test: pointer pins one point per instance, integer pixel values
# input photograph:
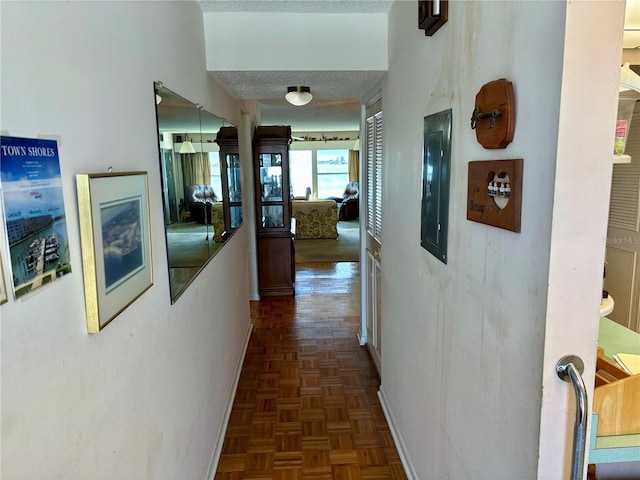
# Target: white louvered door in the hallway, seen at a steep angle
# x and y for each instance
(373, 191)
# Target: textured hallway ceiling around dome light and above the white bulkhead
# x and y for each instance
(335, 105)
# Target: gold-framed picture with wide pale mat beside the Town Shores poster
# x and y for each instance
(116, 243)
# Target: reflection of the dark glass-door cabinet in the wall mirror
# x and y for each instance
(227, 140)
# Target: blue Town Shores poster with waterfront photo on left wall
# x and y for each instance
(35, 224)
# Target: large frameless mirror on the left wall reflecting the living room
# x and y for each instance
(195, 186)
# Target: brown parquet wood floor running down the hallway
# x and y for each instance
(306, 406)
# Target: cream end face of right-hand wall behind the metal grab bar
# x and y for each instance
(582, 185)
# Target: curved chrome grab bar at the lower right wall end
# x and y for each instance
(570, 369)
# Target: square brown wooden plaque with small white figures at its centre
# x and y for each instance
(494, 194)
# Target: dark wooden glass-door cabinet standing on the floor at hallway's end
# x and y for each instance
(276, 266)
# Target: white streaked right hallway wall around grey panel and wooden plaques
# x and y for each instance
(463, 342)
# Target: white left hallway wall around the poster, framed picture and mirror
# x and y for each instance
(144, 398)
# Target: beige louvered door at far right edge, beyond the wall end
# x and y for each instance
(623, 235)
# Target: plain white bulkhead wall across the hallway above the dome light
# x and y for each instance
(296, 41)
